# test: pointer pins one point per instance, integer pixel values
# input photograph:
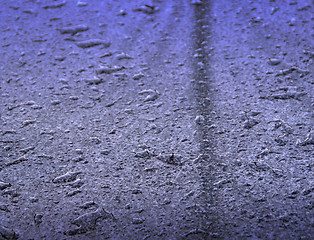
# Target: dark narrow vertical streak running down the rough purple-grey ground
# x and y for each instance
(201, 88)
